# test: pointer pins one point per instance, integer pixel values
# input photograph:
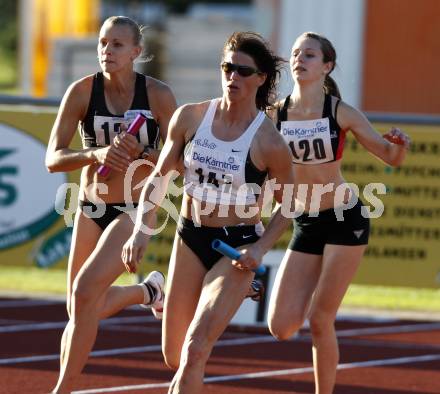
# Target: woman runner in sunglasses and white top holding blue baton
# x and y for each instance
(227, 142)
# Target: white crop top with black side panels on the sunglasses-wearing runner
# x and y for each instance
(222, 172)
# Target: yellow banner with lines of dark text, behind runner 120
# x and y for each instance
(404, 247)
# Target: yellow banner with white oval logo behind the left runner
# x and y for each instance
(29, 224)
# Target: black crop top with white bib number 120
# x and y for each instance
(313, 141)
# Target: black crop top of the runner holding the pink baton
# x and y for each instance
(100, 126)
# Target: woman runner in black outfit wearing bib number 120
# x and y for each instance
(324, 253)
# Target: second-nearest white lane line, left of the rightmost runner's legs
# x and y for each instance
(131, 350)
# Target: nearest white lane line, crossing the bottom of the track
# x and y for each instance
(266, 374)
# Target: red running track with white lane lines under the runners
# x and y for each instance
(377, 356)
